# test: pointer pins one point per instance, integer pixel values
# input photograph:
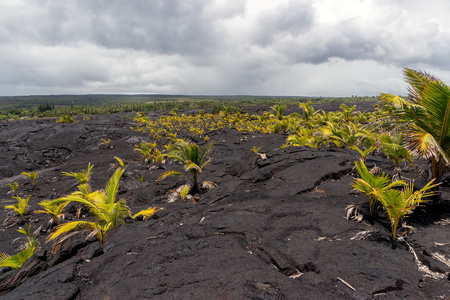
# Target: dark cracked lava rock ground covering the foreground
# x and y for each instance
(273, 228)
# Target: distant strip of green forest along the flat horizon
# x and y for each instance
(15, 107)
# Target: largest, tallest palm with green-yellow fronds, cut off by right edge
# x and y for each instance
(426, 115)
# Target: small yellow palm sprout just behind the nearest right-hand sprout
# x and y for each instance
(370, 183)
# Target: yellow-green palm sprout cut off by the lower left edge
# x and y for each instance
(16, 261)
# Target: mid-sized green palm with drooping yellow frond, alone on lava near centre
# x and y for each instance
(194, 159)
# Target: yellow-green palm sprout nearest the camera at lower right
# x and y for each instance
(397, 203)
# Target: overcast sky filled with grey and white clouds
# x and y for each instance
(220, 47)
